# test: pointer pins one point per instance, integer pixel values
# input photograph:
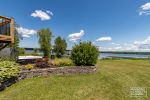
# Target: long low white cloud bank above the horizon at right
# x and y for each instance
(135, 46)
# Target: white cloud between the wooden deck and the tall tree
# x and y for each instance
(24, 32)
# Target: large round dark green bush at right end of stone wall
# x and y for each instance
(84, 54)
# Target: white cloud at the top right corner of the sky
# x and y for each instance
(145, 9)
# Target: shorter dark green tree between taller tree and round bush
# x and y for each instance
(60, 46)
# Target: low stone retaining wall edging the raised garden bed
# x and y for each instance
(56, 71)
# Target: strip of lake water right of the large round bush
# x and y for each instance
(107, 55)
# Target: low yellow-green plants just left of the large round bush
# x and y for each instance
(62, 62)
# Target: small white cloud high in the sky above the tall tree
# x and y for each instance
(42, 15)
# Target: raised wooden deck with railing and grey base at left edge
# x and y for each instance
(6, 36)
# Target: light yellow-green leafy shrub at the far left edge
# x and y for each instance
(8, 69)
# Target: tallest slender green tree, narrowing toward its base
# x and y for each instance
(45, 41)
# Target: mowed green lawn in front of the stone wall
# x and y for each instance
(112, 82)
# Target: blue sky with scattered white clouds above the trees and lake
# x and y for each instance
(119, 25)
